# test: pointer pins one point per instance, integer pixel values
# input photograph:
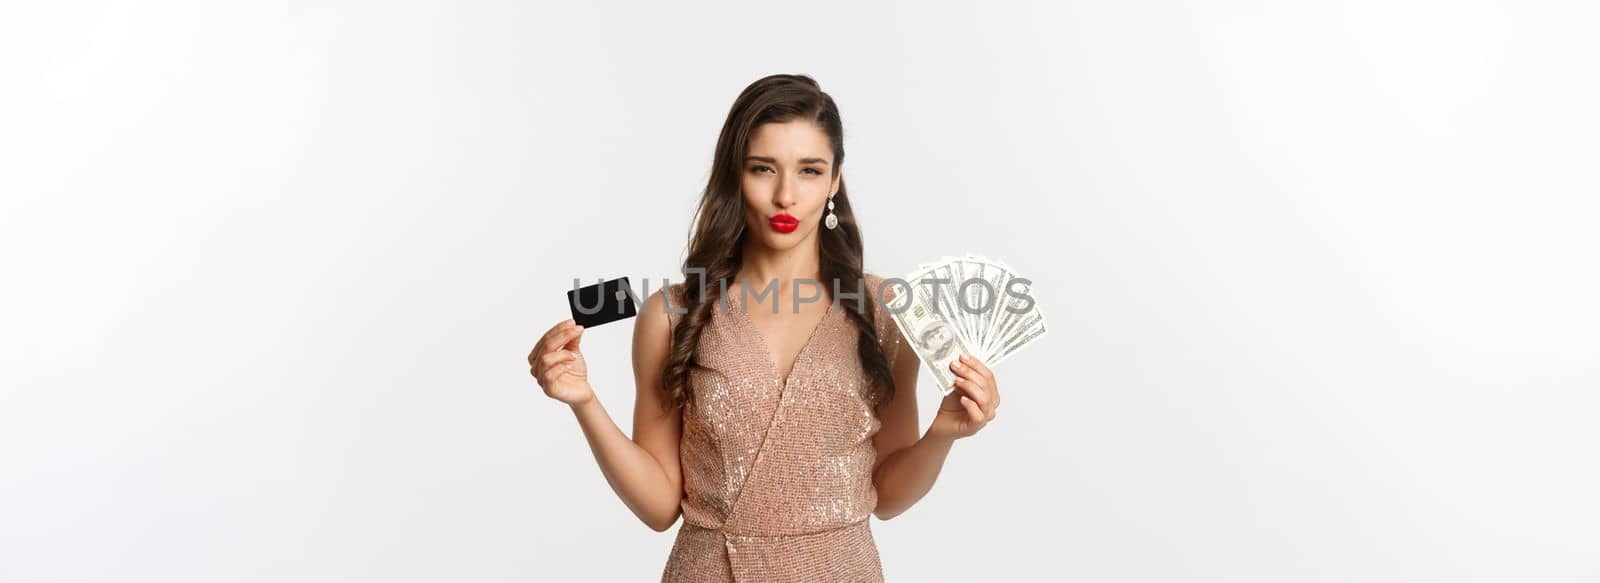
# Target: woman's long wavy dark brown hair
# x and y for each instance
(718, 241)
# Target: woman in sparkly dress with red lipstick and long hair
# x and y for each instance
(772, 432)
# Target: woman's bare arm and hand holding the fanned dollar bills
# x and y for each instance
(908, 467)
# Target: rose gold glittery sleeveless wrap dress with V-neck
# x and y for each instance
(778, 473)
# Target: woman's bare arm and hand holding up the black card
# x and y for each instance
(644, 470)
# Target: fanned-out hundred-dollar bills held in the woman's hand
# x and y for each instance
(966, 305)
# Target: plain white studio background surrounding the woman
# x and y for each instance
(1321, 279)
